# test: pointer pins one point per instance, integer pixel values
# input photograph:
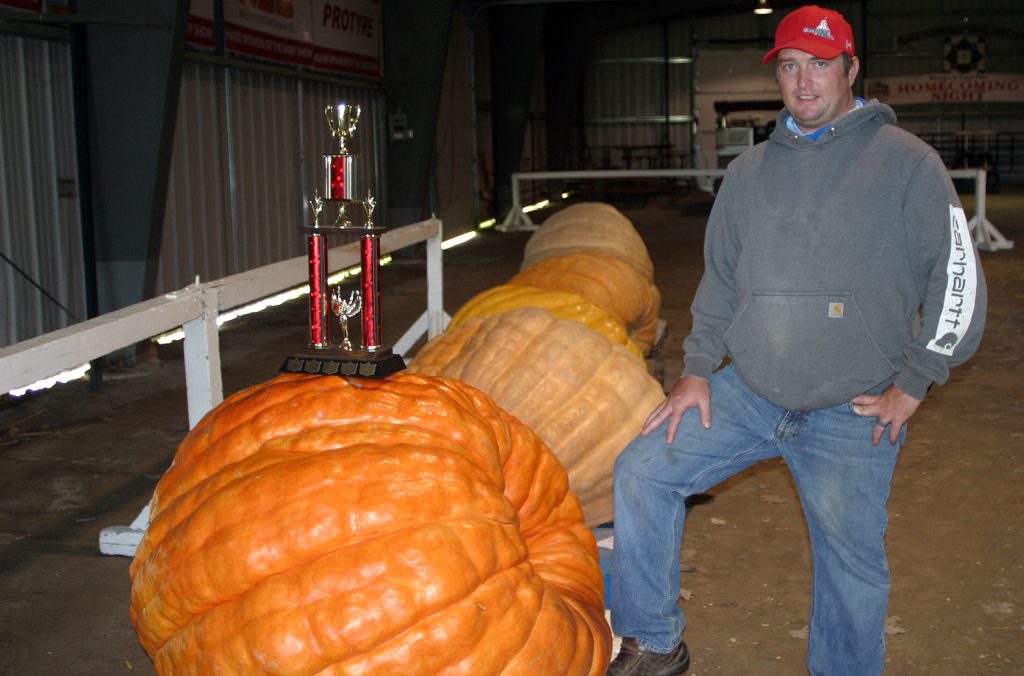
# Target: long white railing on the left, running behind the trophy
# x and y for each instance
(196, 309)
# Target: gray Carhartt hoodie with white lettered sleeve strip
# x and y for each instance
(838, 267)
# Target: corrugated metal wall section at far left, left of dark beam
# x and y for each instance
(39, 226)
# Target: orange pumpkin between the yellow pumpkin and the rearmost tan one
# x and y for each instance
(606, 281)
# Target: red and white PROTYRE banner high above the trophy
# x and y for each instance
(342, 36)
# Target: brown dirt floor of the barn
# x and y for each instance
(74, 461)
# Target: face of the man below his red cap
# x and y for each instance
(816, 91)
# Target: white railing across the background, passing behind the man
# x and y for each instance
(987, 237)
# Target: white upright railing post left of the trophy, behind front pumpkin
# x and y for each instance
(204, 385)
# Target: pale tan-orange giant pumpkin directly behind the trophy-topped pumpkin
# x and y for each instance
(584, 396)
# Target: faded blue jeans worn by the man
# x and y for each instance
(844, 485)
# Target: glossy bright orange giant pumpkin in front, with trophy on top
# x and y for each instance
(406, 526)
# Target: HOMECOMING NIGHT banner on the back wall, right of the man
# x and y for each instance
(948, 89)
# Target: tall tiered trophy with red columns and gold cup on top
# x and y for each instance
(370, 359)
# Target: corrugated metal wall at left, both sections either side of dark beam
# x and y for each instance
(246, 161)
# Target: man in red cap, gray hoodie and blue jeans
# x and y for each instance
(841, 283)
